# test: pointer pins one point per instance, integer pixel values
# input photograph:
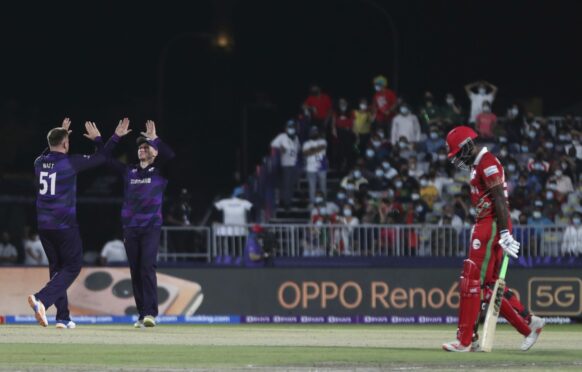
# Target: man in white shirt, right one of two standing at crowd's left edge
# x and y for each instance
(314, 151)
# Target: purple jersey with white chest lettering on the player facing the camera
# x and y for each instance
(144, 189)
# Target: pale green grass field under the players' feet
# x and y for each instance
(277, 347)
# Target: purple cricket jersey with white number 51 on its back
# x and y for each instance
(56, 174)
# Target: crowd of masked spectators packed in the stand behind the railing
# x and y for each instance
(393, 160)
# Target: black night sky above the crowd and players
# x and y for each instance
(101, 62)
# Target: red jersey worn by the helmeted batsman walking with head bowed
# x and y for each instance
(486, 173)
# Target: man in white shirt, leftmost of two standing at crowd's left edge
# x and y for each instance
(287, 143)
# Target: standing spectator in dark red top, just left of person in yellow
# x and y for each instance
(343, 123)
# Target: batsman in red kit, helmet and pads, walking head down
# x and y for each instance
(490, 239)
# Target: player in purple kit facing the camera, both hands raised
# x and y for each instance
(141, 217)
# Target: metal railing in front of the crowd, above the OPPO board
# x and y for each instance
(307, 240)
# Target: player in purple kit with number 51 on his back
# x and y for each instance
(56, 173)
